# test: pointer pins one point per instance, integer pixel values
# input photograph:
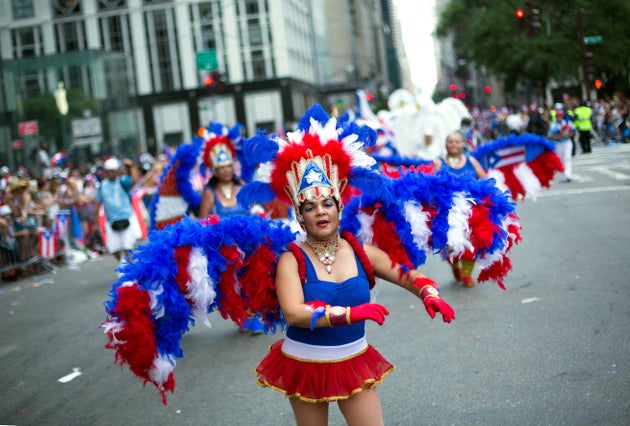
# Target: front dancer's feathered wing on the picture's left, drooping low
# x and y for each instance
(192, 268)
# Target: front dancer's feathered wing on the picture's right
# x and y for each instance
(424, 214)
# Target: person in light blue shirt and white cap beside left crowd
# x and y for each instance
(121, 232)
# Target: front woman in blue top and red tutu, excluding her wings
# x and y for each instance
(323, 287)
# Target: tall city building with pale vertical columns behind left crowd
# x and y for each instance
(125, 77)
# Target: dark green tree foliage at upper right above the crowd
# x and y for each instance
(489, 35)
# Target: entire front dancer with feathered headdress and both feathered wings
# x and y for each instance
(241, 264)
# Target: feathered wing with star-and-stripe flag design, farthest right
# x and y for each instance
(522, 164)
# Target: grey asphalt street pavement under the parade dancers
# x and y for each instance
(553, 349)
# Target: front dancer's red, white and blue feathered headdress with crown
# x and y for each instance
(319, 159)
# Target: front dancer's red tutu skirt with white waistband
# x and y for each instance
(321, 373)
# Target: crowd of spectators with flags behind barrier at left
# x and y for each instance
(31, 200)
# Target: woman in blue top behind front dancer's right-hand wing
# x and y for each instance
(460, 164)
